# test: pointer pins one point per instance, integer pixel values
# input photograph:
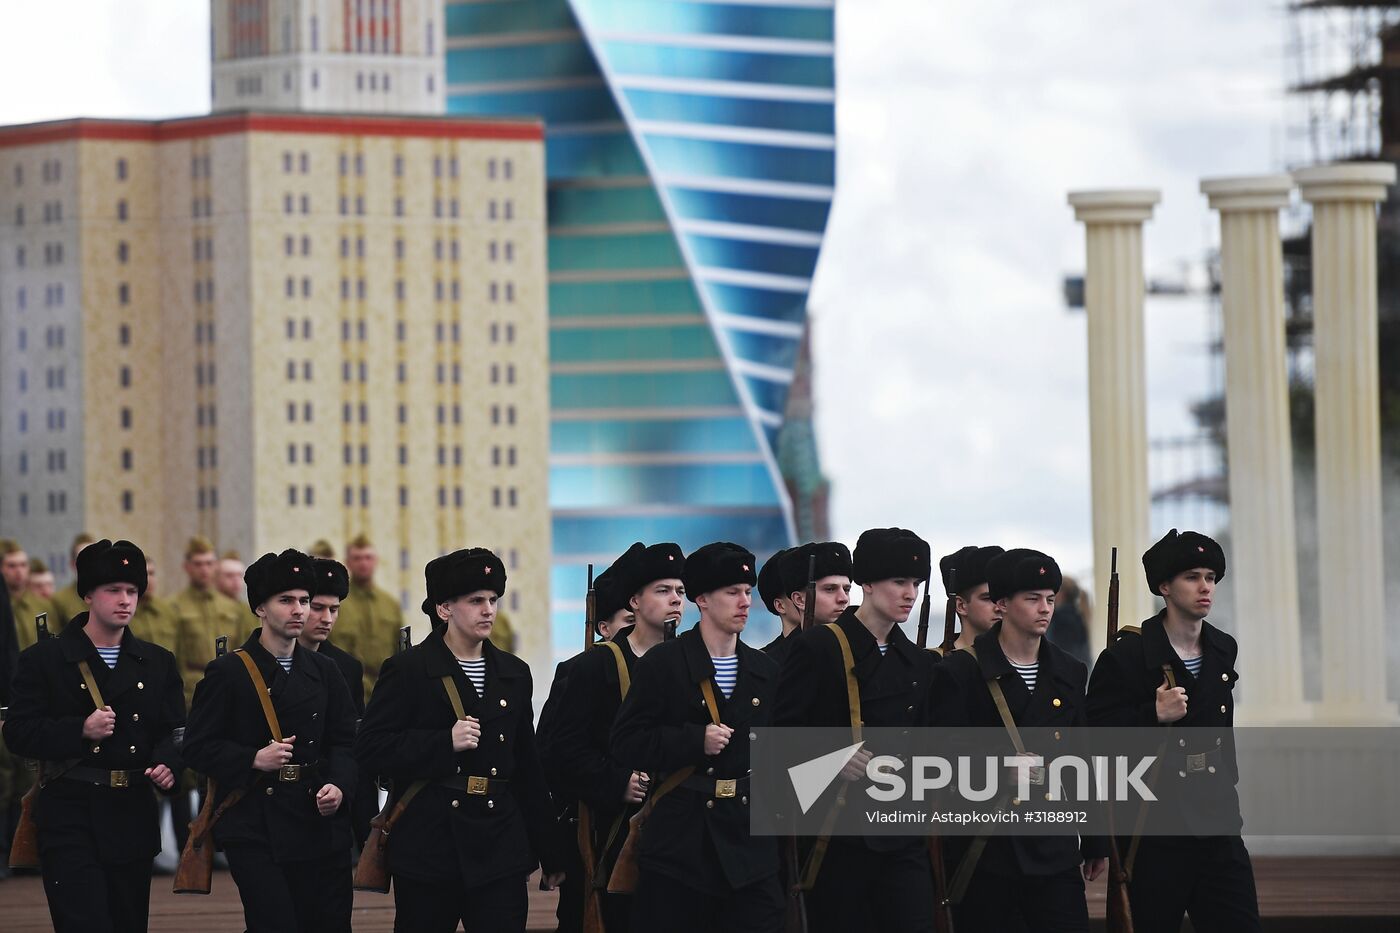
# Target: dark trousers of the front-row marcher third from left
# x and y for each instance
(437, 907)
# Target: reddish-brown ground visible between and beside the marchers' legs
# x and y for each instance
(1296, 894)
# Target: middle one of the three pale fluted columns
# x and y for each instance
(1263, 568)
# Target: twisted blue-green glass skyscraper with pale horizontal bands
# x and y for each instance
(692, 160)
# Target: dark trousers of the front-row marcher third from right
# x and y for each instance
(859, 889)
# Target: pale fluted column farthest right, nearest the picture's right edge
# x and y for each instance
(1347, 406)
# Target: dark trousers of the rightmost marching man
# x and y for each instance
(1209, 879)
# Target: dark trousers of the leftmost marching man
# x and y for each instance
(89, 897)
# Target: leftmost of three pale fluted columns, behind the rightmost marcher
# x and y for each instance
(1114, 291)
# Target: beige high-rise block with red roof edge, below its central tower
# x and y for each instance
(271, 329)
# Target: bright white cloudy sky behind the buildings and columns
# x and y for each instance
(951, 379)
